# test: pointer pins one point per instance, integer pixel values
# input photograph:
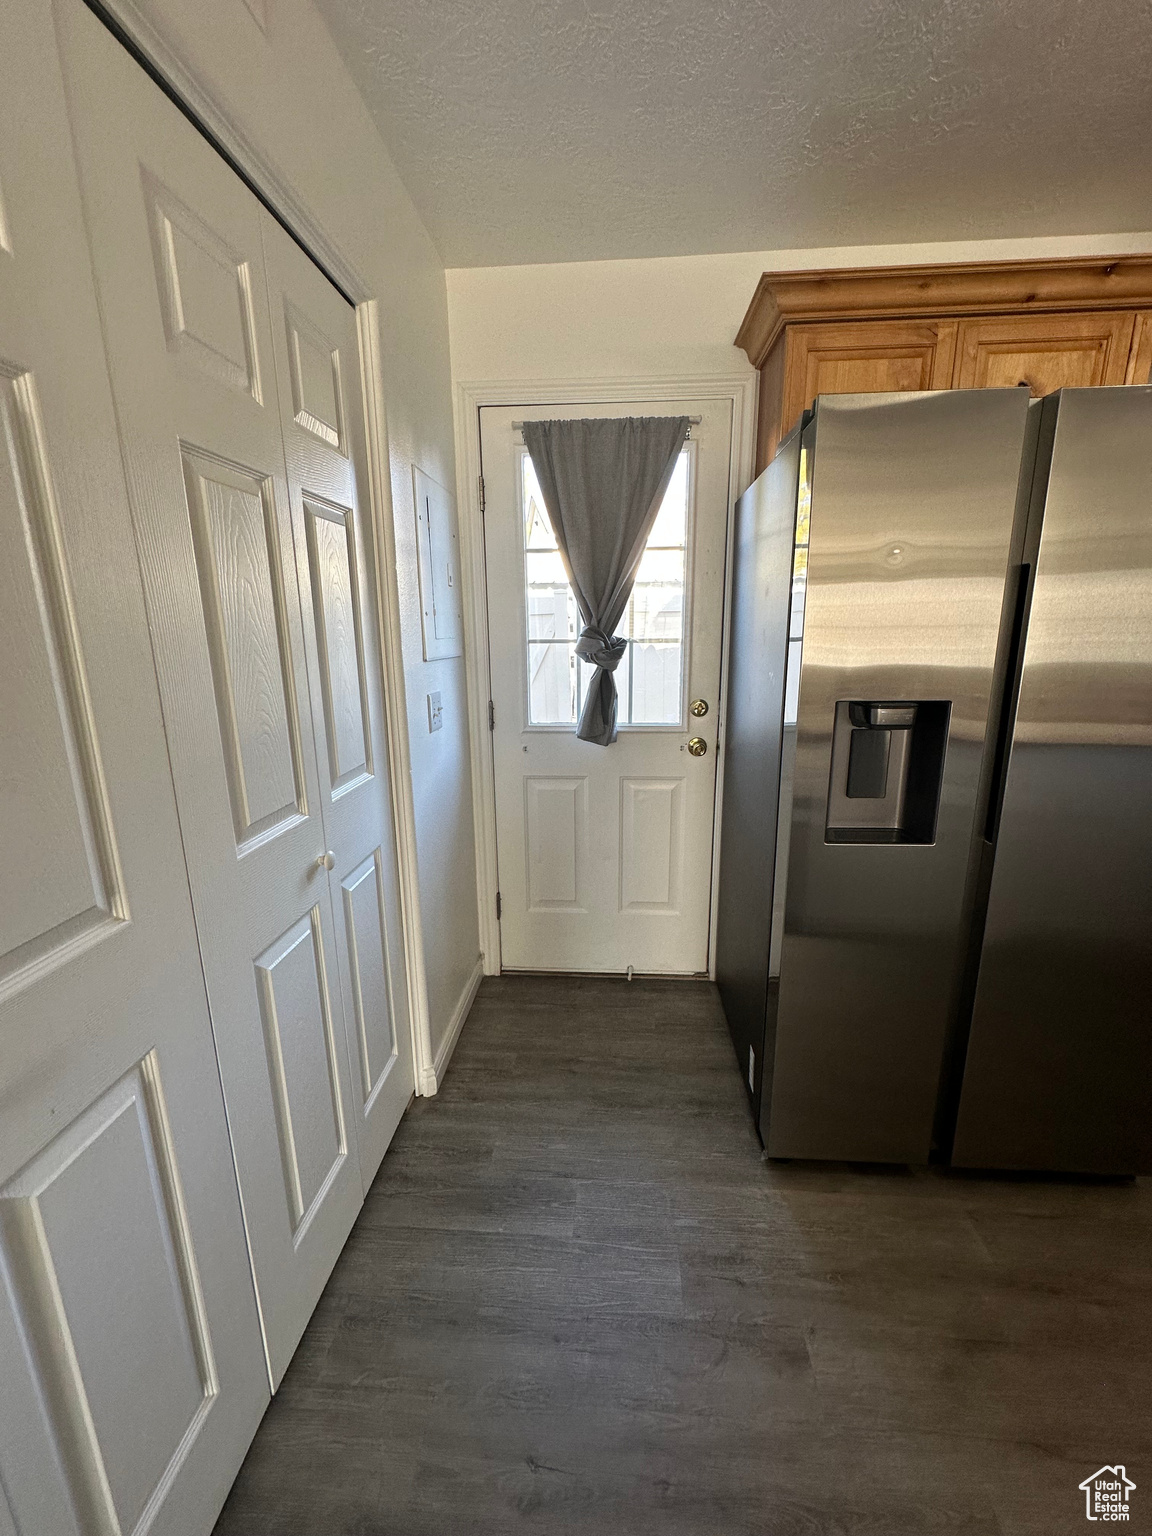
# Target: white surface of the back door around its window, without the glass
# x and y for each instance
(606, 855)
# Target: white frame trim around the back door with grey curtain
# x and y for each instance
(741, 392)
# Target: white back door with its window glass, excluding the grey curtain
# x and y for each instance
(606, 853)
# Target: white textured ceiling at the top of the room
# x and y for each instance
(548, 131)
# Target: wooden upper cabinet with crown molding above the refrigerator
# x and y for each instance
(1048, 325)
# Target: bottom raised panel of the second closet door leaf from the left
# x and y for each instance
(303, 1067)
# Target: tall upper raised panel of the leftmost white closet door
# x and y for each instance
(56, 823)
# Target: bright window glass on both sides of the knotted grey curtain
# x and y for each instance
(650, 677)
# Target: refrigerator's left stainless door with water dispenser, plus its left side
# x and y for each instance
(905, 517)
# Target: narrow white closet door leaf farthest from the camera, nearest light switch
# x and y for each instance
(322, 412)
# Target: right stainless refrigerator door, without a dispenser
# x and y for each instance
(1058, 1070)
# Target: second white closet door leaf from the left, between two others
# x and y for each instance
(180, 271)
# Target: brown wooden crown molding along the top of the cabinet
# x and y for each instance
(970, 288)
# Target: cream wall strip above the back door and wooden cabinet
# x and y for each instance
(667, 317)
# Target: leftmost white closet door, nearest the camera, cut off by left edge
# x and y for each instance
(131, 1365)
